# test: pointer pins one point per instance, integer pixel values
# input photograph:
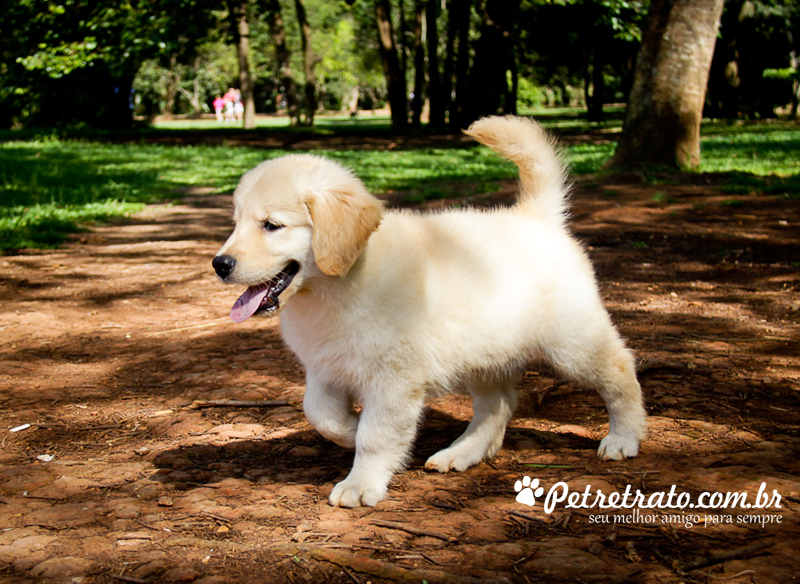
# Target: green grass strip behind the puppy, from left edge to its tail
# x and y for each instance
(49, 187)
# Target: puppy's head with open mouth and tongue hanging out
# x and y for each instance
(297, 217)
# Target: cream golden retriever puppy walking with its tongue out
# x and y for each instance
(388, 308)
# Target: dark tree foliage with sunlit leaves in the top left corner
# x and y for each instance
(65, 63)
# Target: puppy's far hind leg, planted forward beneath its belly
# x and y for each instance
(493, 403)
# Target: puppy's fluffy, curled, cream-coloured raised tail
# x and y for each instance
(543, 188)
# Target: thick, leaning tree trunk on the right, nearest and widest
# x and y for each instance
(665, 107)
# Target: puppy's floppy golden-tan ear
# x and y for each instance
(343, 219)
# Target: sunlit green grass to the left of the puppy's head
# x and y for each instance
(49, 188)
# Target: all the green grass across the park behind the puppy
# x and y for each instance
(50, 187)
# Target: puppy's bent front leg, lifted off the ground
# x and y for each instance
(330, 411)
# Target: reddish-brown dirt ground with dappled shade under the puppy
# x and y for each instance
(107, 344)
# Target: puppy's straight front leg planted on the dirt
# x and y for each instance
(386, 430)
